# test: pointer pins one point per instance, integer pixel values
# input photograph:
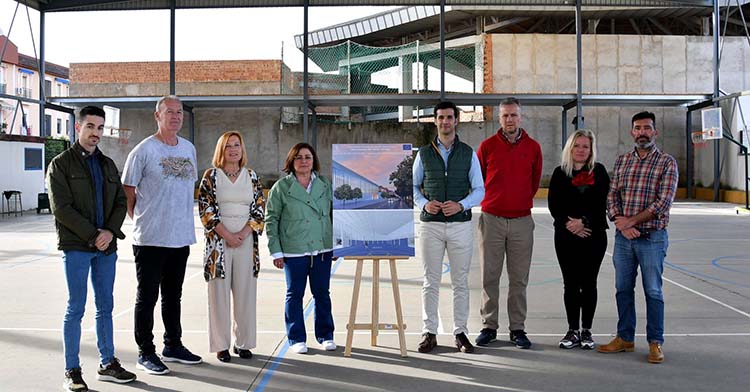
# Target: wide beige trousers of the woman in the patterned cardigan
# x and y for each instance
(237, 291)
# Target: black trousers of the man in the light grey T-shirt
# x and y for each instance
(158, 268)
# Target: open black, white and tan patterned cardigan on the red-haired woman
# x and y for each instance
(208, 208)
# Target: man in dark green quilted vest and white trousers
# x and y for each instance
(447, 183)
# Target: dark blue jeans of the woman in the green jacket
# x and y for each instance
(298, 270)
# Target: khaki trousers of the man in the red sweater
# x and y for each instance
(500, 237)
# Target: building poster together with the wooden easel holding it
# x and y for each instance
(373, 219)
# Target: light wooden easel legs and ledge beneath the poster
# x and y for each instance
(375, 325)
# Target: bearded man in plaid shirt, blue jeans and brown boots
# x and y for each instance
(643, 186)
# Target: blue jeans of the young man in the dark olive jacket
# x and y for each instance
(77, 265)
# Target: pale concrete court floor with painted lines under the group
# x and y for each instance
(707, 348)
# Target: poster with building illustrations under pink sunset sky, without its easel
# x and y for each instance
(372, 200)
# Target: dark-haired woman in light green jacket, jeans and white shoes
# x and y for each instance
(300, 240)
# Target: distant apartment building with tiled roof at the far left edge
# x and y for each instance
(19, 77)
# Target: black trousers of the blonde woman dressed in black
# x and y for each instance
(580, 260)
